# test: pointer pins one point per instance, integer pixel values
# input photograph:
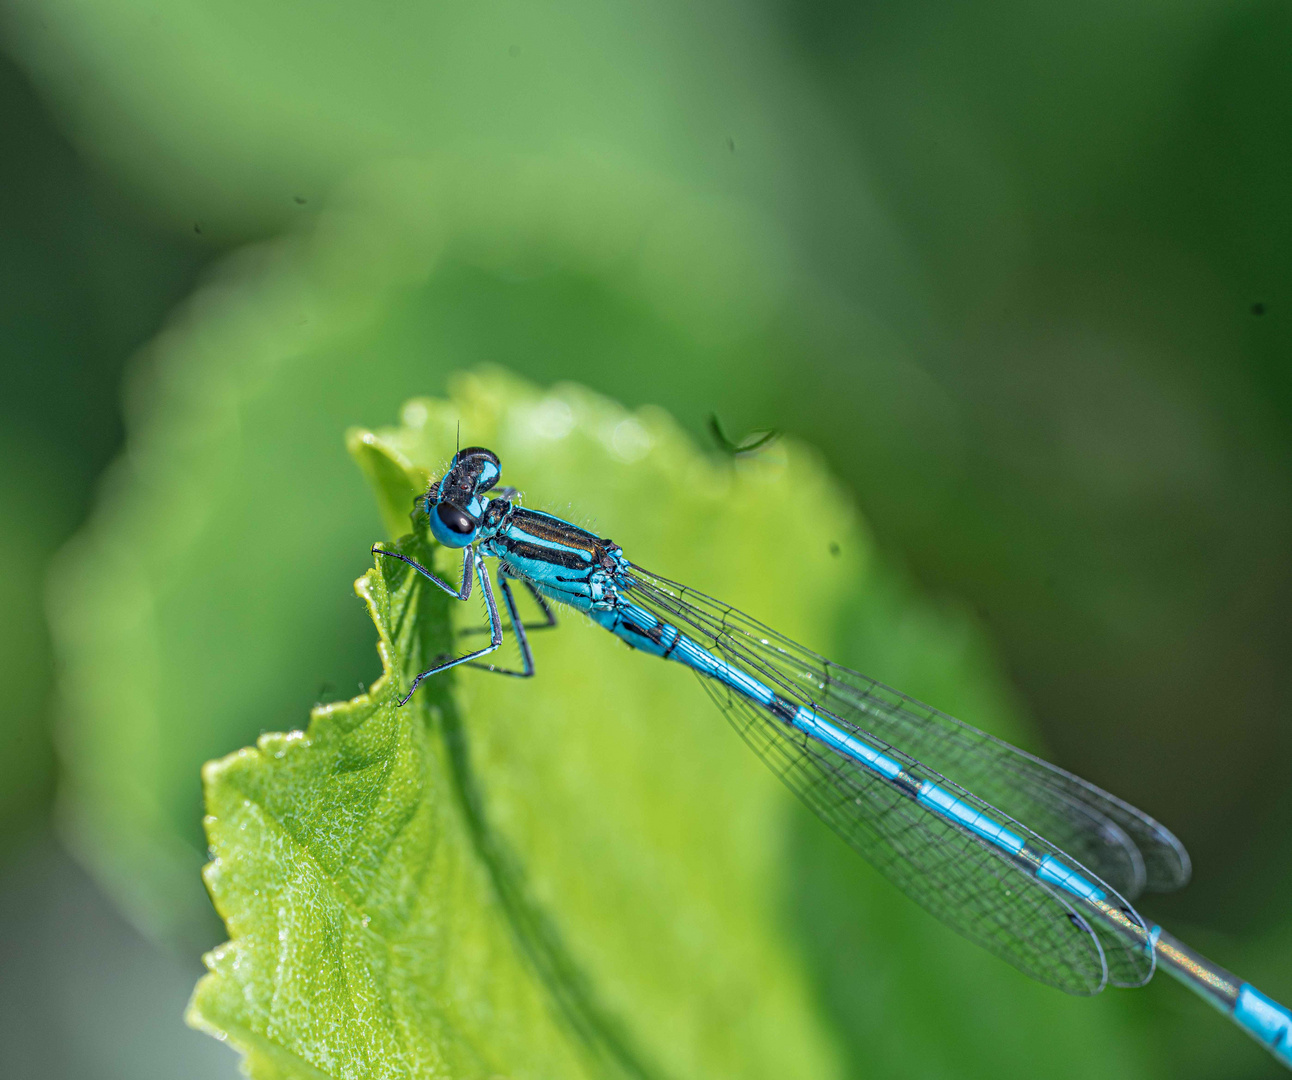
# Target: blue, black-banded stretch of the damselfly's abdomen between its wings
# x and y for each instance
(644, 631)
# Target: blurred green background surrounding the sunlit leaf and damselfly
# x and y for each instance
(1023, 273)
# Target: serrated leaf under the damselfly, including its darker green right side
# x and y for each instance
(587, 873)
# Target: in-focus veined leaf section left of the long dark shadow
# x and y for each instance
(368, 940)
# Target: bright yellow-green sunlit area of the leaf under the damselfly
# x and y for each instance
(579, 877)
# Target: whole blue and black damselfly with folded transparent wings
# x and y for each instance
(1030, 862)
